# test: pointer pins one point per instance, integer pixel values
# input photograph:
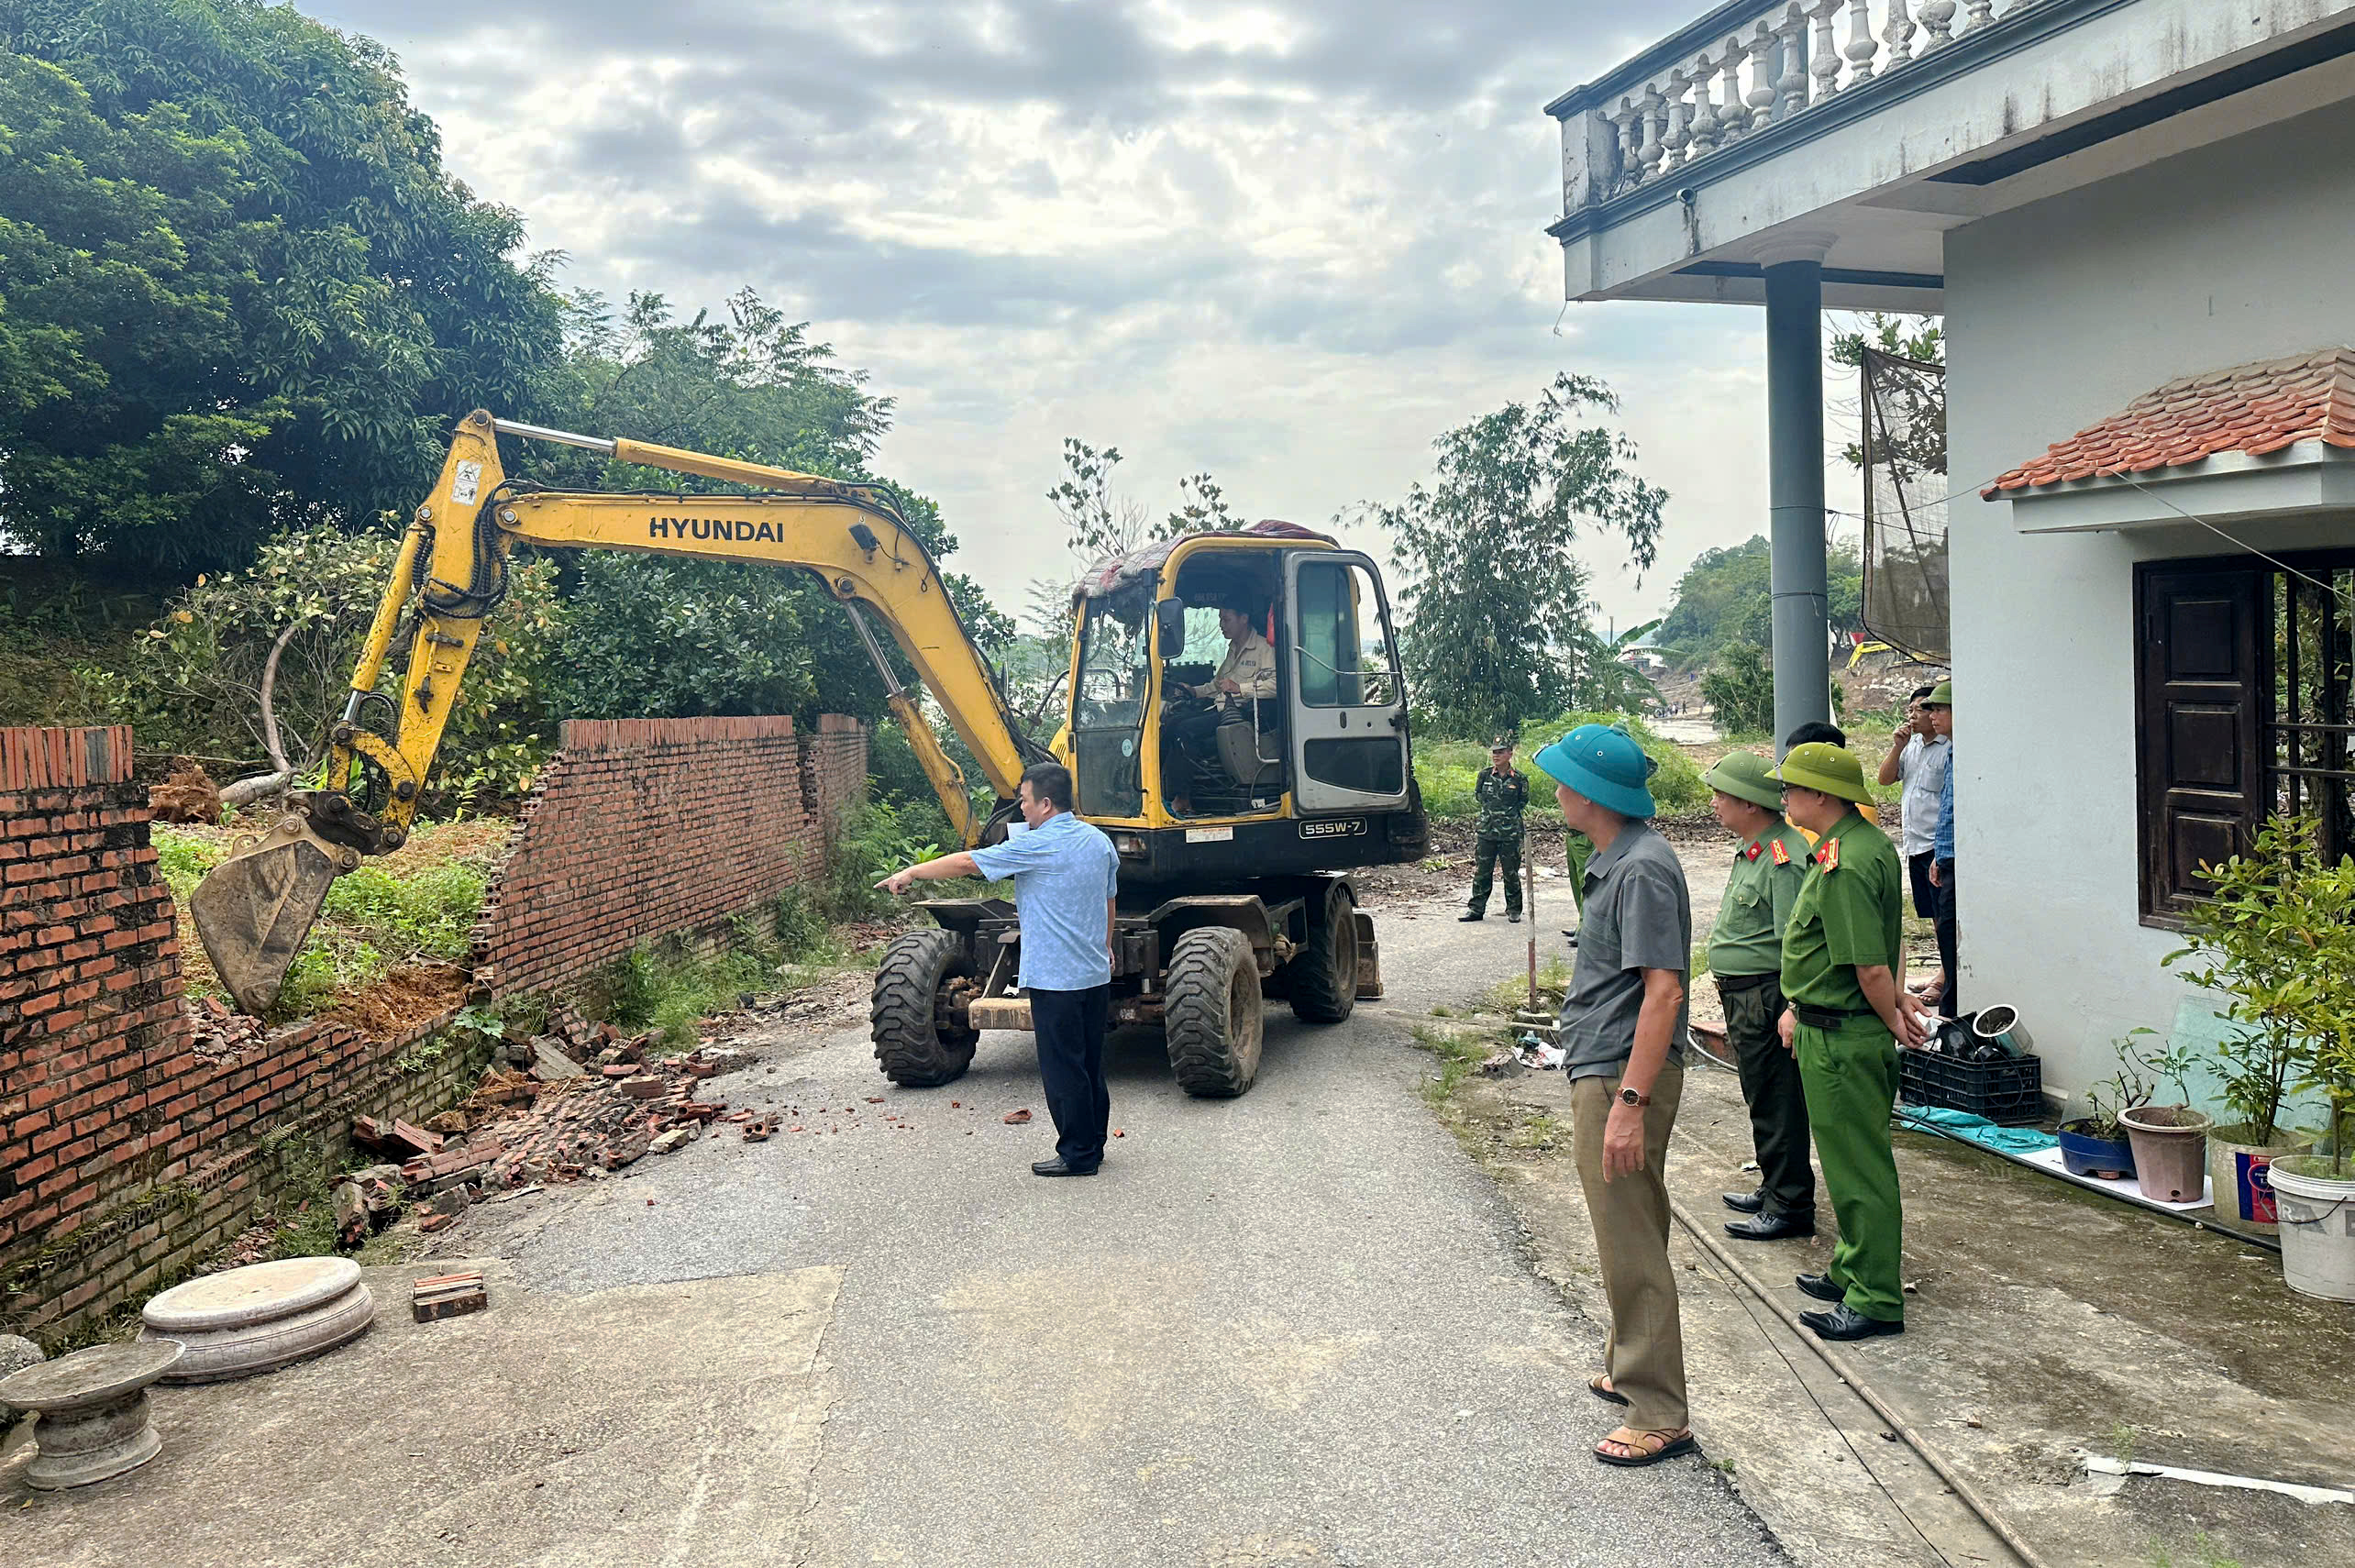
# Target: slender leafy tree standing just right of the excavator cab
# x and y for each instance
(1497, 597)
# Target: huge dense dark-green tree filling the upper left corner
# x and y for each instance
(237, 286)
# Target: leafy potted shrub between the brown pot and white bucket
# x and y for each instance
(2238, 948)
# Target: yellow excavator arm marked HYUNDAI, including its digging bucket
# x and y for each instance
(258, 908)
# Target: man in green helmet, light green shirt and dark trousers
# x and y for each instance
(1746, 957)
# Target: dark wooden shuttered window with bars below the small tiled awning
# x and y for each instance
(2243, 677)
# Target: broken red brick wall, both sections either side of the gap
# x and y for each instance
(128, 1157)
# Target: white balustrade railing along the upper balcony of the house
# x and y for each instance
(1756, 67)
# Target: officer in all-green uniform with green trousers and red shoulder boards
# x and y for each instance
(1845, 1016)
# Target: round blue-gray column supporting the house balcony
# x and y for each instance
(1803, 672)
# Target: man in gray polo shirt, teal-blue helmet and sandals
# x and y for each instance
(1624, 1049)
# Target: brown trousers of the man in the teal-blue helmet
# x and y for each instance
(1645, 1353)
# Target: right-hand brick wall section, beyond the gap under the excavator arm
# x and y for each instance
(651, 828)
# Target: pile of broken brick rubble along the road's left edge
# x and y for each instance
(562, 1108)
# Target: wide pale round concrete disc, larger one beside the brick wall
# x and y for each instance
(263, 1317)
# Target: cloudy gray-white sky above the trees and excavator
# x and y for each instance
(1280, 244)
